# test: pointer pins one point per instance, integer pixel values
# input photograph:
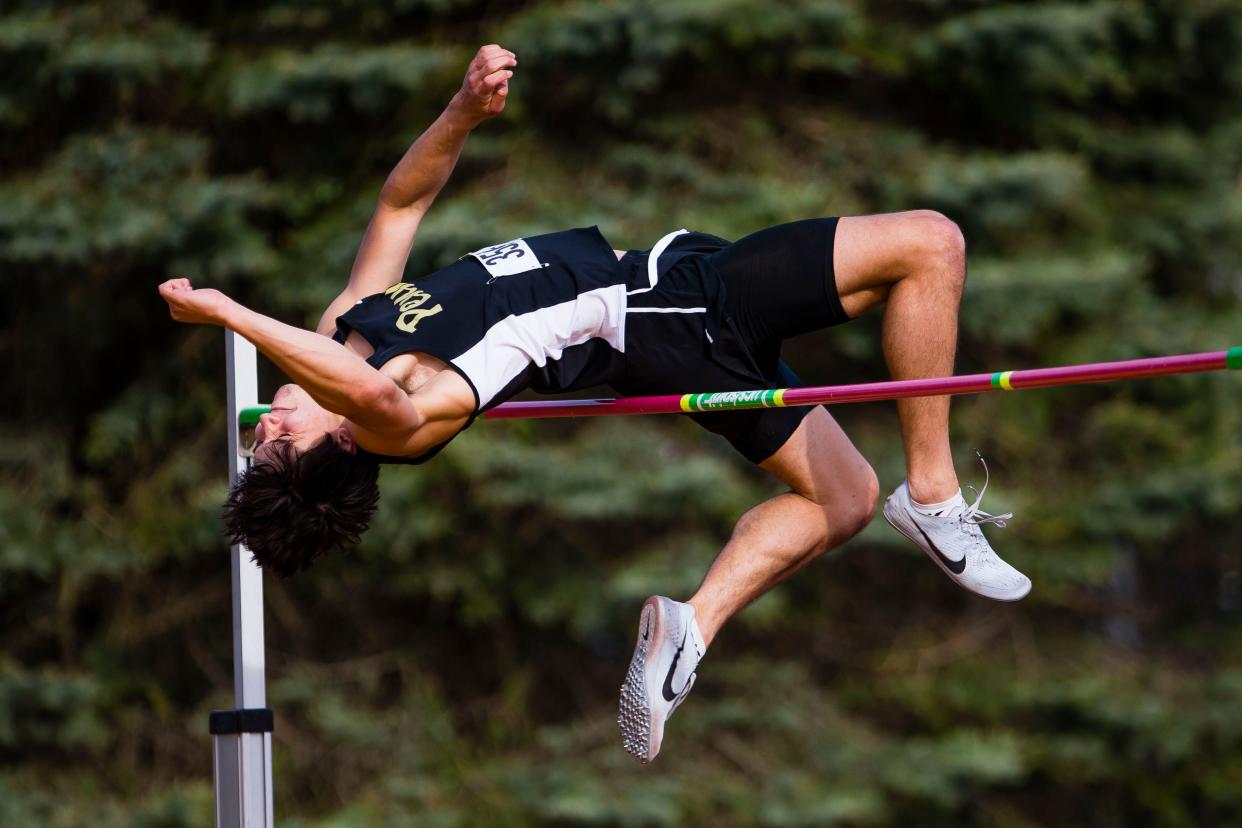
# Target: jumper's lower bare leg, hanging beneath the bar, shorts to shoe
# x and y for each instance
(833, 497)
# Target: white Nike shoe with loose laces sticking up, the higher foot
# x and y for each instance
(957, 544)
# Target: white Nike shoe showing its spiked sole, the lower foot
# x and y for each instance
(661, 673)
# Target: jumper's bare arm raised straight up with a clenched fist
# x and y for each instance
(419, 177)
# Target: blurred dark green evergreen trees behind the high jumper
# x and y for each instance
(461, 670)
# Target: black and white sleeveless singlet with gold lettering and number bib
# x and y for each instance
(546, 313)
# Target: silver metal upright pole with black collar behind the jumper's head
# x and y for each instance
(243, 738)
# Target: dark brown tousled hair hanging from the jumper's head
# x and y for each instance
(299, 506)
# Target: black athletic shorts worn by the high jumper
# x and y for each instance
(777, 284)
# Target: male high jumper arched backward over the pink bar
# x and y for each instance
(397, 369)
